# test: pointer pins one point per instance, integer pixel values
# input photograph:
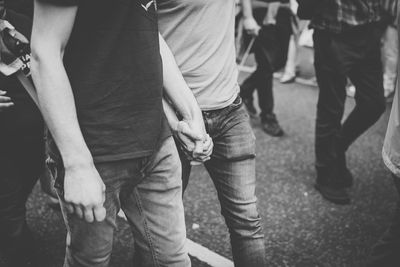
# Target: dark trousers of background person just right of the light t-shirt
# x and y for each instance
(270, 51)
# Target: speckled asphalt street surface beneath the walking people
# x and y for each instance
(301, 228)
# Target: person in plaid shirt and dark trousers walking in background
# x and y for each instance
(347, 43)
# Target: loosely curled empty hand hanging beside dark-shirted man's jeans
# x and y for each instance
(84, 193)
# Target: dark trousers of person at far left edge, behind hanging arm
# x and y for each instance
(21, 163)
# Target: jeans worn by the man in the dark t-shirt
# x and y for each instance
(149, 191)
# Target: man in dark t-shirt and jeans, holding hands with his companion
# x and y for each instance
(103, 107)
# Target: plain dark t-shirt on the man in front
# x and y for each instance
(114, 66)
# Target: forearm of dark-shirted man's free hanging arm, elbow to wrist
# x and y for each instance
(58, 108)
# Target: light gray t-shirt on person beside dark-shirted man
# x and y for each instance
(200, 34)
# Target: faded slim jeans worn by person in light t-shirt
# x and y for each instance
(232, 169)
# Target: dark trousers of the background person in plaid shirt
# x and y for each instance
(354, 54)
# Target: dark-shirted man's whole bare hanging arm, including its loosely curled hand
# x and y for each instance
(83, 187)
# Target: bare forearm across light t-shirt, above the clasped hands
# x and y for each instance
(175, 87)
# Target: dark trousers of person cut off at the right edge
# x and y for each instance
(387, 251)
